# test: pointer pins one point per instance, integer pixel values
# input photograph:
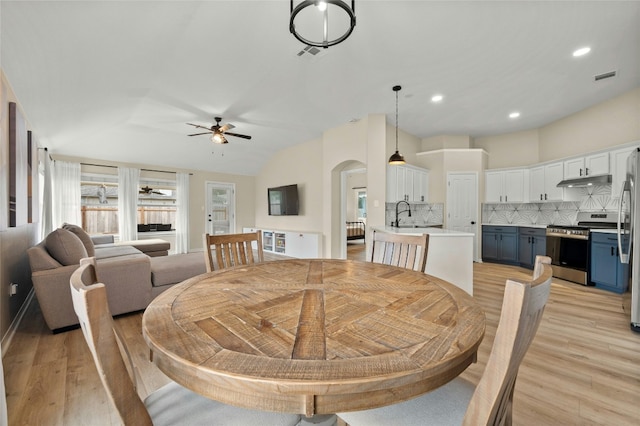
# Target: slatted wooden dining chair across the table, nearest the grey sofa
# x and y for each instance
(232, 250)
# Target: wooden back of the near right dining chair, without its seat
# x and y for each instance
(522, 309)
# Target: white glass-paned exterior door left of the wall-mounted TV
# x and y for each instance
(220, 210)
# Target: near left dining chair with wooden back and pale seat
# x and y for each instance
(172, 404)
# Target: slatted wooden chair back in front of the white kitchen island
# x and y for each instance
(406, 251)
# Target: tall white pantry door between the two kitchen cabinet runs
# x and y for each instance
(462, 205)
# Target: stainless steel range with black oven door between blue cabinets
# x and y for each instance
(569, 248)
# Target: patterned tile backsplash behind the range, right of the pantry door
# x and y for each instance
(597, 198)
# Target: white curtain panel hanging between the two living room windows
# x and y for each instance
(128, 182)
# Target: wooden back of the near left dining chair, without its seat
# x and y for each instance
(91, 306)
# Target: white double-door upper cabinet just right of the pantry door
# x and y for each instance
(506, 186)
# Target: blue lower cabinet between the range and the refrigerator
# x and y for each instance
(607, 272)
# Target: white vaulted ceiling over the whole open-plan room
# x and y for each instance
(118, 80)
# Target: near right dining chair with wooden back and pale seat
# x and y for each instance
(489, 403)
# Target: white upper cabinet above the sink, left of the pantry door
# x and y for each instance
(408, 183)
